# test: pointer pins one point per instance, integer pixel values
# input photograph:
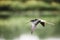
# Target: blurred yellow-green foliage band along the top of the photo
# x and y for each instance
(30, 5)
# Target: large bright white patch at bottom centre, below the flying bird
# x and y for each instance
(27, 37)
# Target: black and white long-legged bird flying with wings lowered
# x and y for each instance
(35, 22)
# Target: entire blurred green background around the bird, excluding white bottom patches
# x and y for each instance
(14, 15)
